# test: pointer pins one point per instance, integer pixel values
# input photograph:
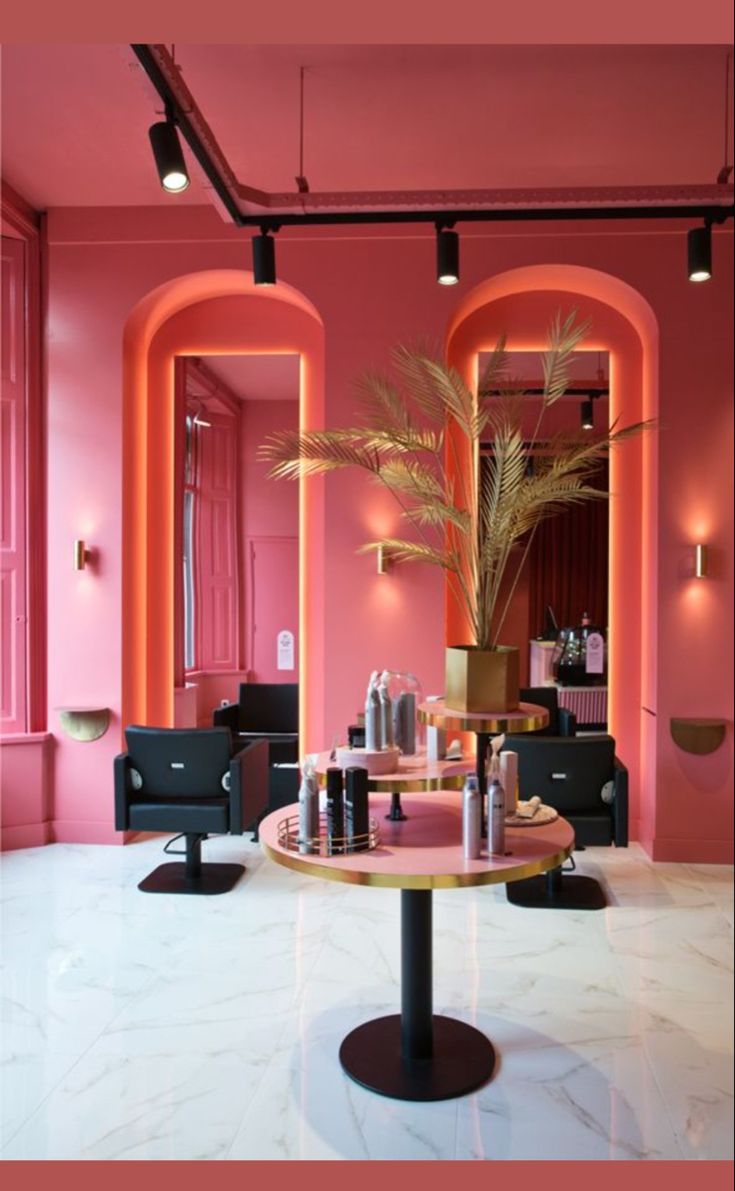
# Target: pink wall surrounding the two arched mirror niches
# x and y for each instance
(373, 291)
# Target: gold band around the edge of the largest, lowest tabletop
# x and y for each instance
(419, 881)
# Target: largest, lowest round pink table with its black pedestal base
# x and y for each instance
(419, 1056)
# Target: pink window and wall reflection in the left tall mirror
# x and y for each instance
(238, 594)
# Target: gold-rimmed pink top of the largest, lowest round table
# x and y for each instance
(426, 851)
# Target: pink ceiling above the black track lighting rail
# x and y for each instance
(76, 117)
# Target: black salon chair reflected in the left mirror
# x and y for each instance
(265, 712)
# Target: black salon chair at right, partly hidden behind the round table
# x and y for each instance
(584, 781)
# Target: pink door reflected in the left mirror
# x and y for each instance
(275, 609)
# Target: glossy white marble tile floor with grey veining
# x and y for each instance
(141, 1027)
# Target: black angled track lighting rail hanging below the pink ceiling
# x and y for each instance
(712, 213)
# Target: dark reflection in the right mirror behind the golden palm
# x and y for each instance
(565, 578)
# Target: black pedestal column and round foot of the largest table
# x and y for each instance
(418, 1056)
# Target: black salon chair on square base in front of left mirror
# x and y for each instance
(186, 781)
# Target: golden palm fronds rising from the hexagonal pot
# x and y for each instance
(466, 519)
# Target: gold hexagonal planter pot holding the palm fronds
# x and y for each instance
(482, 679)
